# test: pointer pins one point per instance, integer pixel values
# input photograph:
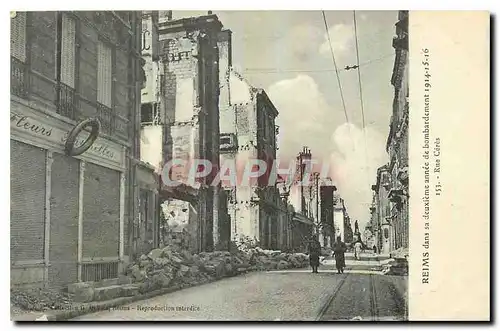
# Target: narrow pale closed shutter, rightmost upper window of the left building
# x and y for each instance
(104, 74)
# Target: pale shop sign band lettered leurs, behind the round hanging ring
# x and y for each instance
(55, 135)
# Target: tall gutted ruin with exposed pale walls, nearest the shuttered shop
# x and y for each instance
(180, 121)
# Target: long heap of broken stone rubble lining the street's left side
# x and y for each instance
(173, 265)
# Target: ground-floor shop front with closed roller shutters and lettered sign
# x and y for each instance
(67, 212)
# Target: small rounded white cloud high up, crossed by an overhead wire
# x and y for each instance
(342, 38)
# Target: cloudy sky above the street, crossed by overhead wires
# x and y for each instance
(288, 54)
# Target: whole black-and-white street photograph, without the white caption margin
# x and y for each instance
(209, 165)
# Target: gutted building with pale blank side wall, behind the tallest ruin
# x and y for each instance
(248, 132)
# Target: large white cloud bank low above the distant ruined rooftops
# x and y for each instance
(306, 119)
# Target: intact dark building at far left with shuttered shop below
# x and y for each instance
(72, 217)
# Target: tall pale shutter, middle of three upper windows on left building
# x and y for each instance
(68, 35)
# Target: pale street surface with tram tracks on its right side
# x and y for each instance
(273, 296)
